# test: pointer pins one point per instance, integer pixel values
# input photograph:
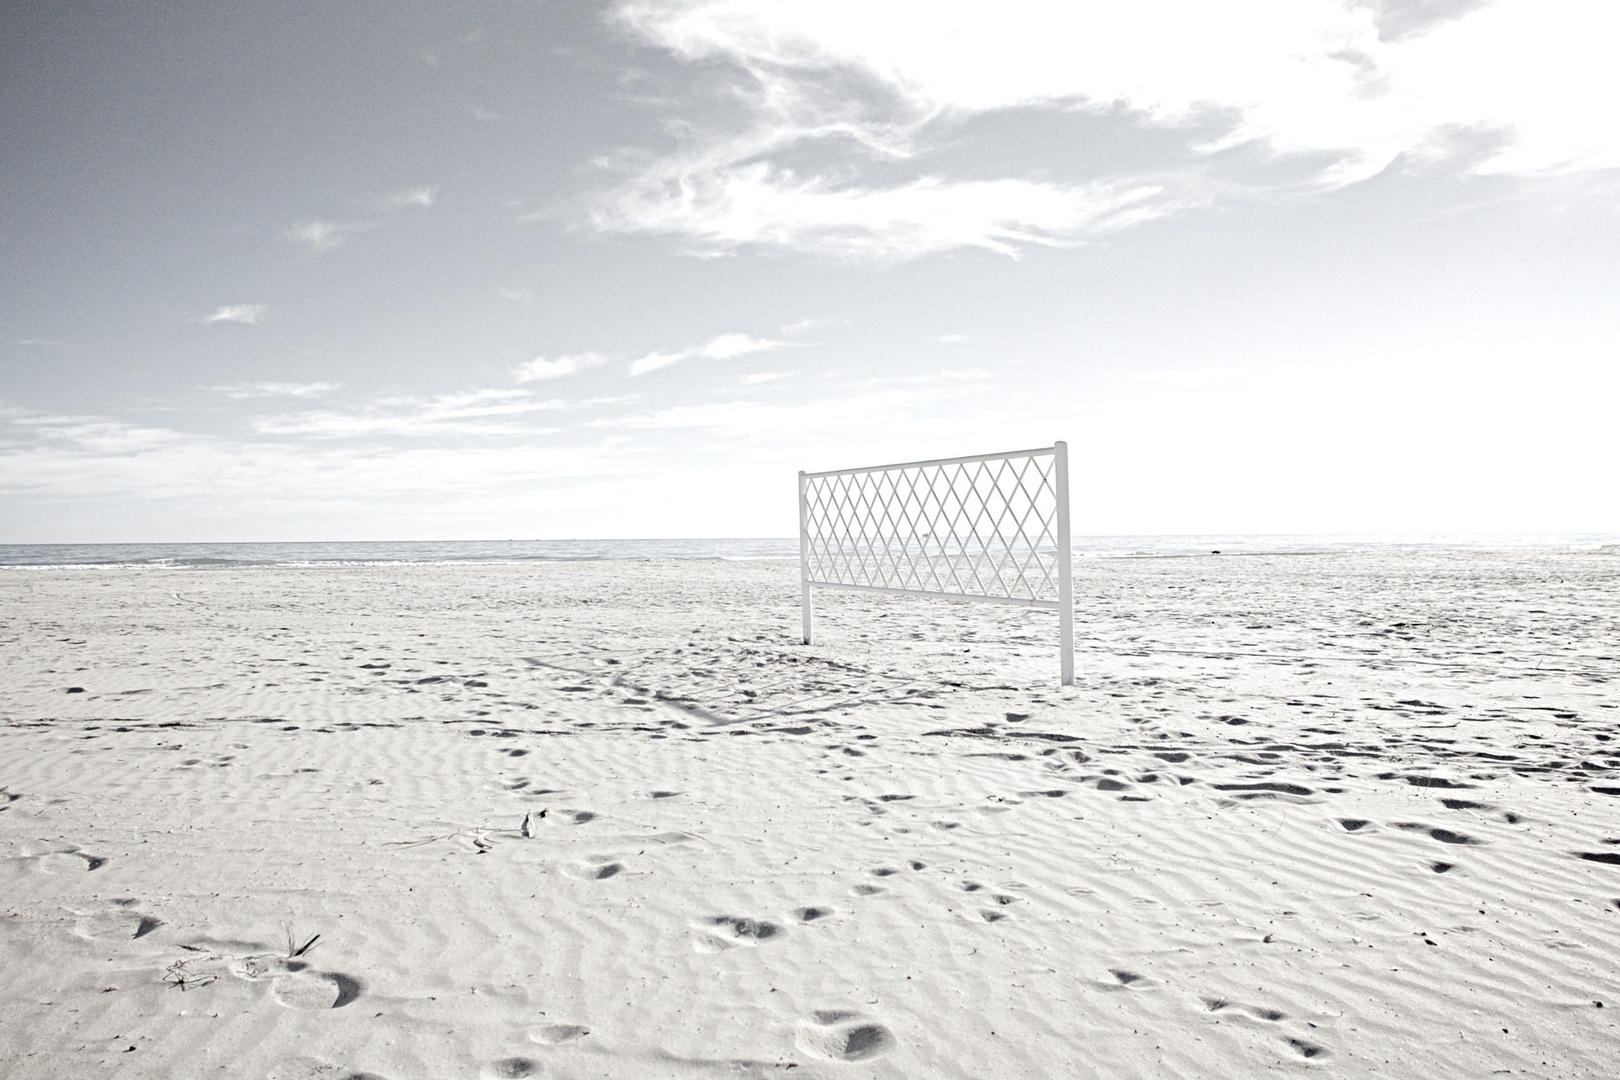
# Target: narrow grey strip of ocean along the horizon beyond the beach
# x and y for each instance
(364, 553)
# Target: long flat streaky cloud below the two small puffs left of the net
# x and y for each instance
(467, 414)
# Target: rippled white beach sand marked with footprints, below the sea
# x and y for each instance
(1300, 815)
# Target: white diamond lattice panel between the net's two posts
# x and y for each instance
(966, 529)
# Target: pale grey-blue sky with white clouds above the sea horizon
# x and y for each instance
(497, 270)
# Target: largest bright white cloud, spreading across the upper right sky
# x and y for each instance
(1316, 95)
